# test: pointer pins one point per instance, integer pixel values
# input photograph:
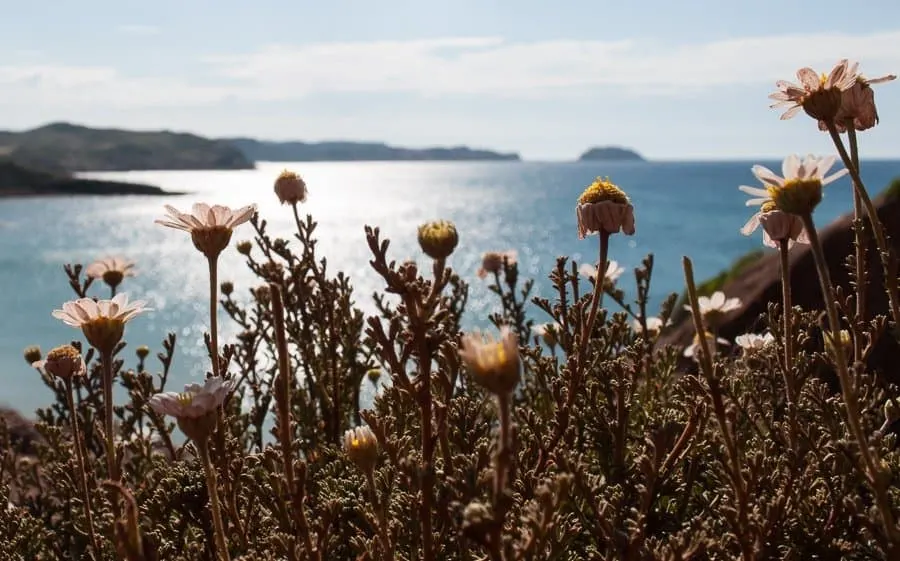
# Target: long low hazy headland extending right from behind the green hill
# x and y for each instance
(345, 151)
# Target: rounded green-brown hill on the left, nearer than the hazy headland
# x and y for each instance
(64, 147)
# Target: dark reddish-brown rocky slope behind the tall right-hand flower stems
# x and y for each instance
(760, 283)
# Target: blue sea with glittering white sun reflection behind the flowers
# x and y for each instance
(681, 208)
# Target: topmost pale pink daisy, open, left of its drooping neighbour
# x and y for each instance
(819, 96)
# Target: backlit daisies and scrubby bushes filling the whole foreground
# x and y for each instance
(566, 431)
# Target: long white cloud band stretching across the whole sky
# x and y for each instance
(470, 66)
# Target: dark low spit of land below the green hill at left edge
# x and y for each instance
(19, 181)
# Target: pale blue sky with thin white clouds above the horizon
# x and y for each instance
(673, 80)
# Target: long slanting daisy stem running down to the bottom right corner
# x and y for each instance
(848, 389)
